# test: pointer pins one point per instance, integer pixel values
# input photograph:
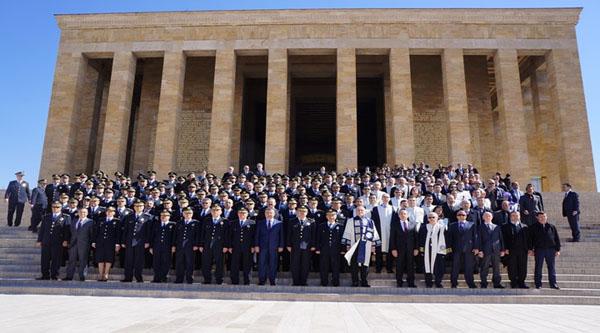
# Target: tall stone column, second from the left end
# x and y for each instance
(118, 112)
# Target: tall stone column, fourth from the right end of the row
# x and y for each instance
(401, 123)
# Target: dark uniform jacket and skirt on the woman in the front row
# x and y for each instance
(107, 235)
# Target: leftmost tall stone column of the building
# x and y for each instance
(59, 141)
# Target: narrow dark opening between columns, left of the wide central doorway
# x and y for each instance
(254, 112)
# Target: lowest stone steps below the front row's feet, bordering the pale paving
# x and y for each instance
(289, 293)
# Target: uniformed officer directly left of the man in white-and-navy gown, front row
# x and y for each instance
(329, 247)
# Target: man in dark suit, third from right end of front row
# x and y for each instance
(490, 251)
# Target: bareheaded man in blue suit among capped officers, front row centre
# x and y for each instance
(269, 241)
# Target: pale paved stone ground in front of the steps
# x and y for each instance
(31, 313)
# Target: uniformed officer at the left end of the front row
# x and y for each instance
(52, 237)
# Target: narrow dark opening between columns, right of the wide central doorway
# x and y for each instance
(370, 122)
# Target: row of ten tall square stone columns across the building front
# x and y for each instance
(564, 77)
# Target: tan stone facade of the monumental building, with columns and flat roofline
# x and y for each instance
(455, 83)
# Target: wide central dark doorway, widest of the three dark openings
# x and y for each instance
(312, 128)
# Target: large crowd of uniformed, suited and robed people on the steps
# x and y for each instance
(409, 219)
